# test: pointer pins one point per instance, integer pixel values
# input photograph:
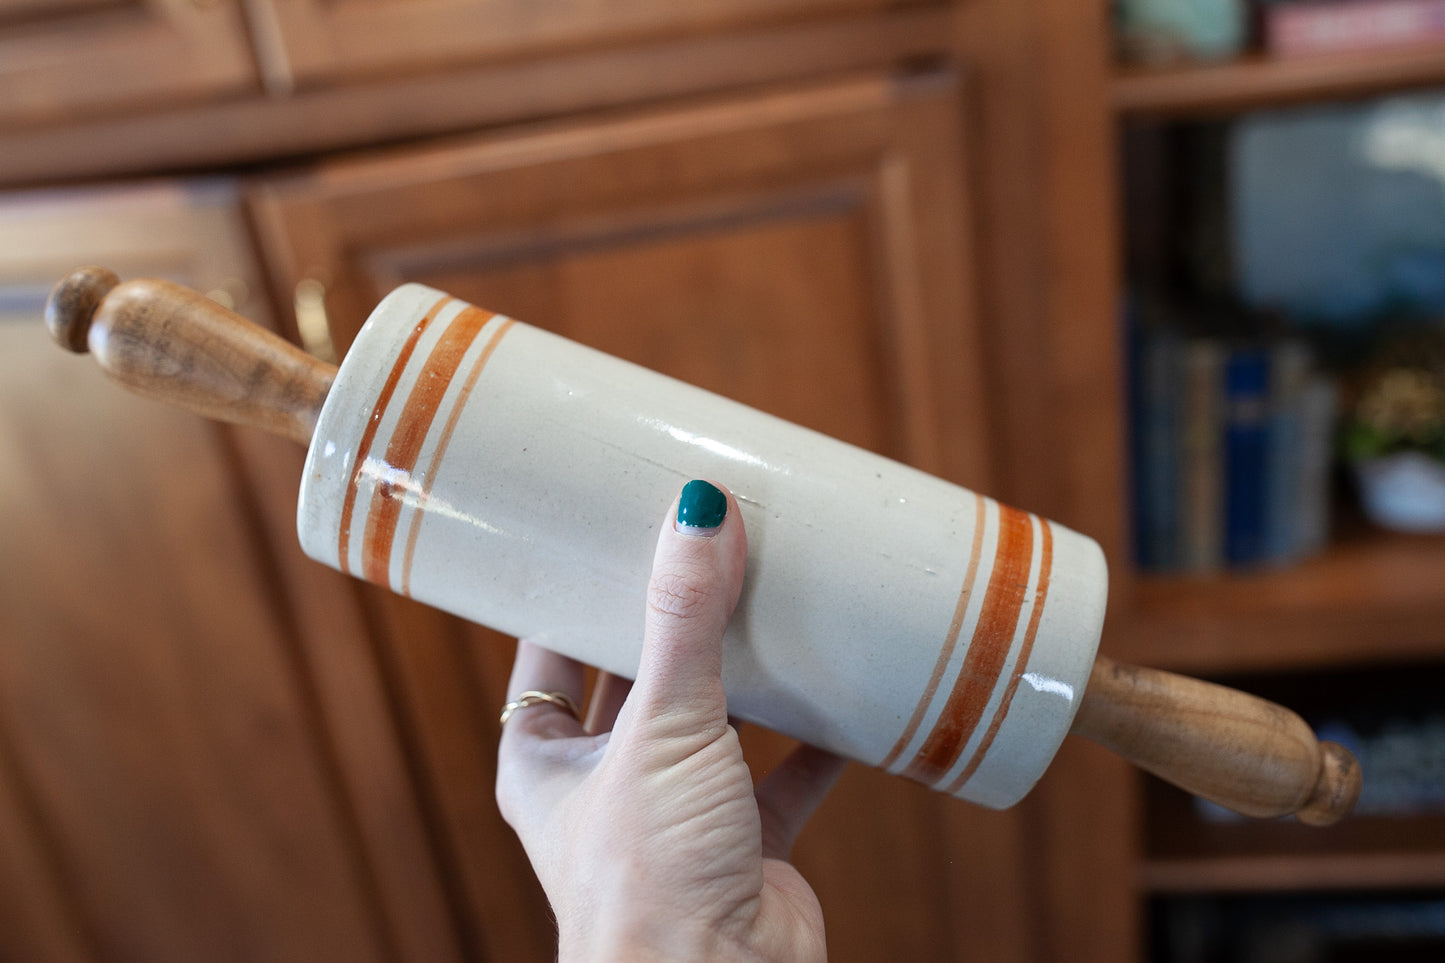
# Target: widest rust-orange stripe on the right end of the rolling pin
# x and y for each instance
(983, 663)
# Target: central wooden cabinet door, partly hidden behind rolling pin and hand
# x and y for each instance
(816, 245)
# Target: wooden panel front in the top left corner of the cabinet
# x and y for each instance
(67, 59)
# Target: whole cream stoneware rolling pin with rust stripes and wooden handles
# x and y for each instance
(515, 479)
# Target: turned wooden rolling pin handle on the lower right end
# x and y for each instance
(1225, 745)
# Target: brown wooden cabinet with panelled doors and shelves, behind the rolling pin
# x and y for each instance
(927, 267)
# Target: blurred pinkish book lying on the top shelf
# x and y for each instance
(1301, 28)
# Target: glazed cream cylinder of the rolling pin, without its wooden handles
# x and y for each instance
(518, 479)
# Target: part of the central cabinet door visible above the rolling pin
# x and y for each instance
(813, 238)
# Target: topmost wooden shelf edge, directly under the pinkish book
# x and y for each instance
(1262, 82)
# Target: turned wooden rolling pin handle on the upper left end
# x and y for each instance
(174, 345)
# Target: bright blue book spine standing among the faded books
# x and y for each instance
(1246, 456)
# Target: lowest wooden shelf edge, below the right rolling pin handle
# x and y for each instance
(1284, 874)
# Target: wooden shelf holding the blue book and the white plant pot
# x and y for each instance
(1372, 598)
